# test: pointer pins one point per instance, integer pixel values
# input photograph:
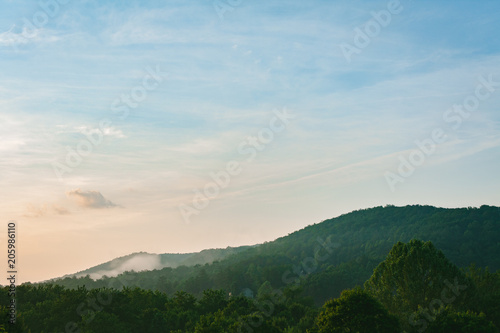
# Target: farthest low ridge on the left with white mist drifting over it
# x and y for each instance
(143, 261)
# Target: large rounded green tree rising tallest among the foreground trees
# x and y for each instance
(417, 274)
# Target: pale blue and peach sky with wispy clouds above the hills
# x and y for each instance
(177, 126)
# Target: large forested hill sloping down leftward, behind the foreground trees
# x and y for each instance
(358, 242)
